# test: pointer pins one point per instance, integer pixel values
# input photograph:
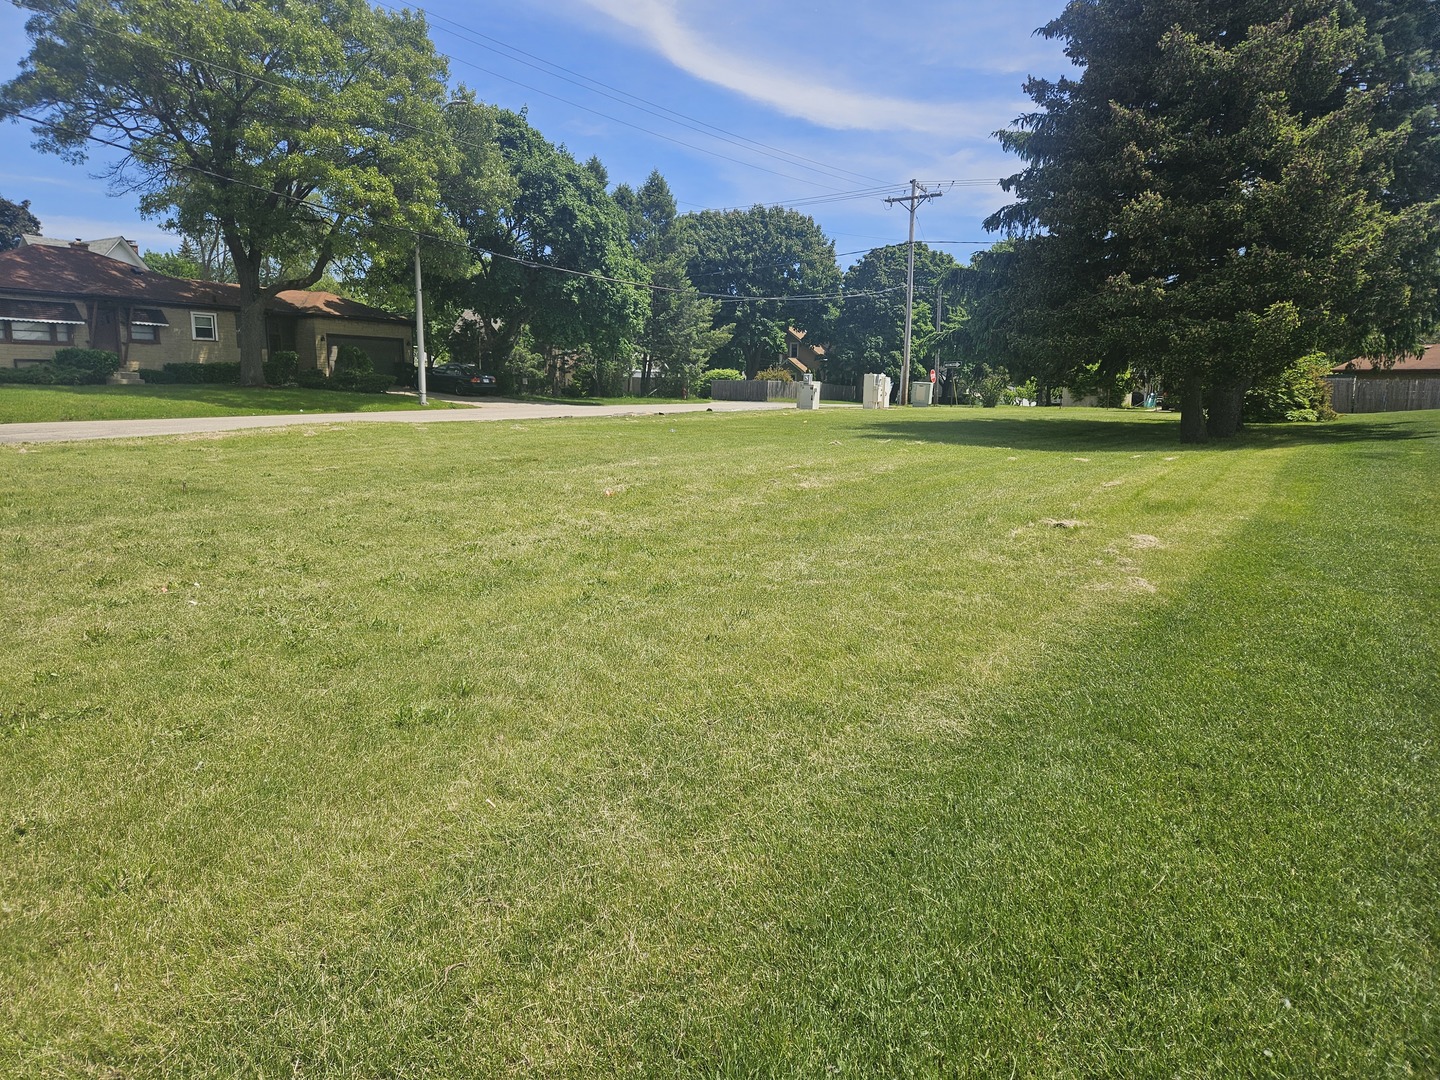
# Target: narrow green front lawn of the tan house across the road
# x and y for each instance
(58, 404)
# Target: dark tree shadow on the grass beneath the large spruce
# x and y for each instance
(1046, 431)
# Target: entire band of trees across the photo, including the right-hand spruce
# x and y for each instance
(1228, 191)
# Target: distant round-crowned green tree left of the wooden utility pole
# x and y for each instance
(774, 261)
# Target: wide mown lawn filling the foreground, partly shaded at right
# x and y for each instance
(724, 745)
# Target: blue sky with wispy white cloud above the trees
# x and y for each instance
(856, 94)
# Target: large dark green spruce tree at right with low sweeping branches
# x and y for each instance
(1228, 188)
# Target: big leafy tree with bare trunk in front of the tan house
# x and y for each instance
(303, 133)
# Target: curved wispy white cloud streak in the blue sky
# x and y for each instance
(806, 97)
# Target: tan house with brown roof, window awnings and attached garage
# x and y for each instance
(53, 297)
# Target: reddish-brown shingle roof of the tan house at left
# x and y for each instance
(78, 273)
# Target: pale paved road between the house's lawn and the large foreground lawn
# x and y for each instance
(490, 410)
